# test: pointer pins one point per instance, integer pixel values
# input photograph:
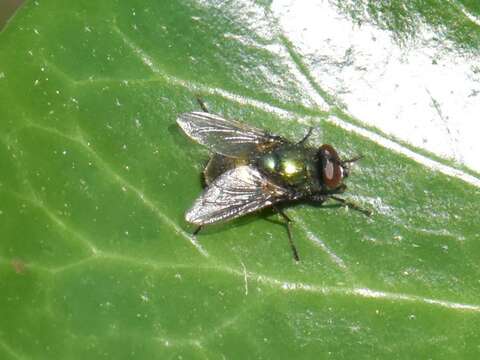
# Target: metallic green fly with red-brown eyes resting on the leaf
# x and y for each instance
(251, 169)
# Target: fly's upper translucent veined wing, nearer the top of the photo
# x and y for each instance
(227, 137)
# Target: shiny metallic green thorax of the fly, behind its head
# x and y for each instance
(292, 165)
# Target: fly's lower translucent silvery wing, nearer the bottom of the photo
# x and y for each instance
(236, 192)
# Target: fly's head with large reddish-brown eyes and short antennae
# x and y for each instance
(332, 170)
